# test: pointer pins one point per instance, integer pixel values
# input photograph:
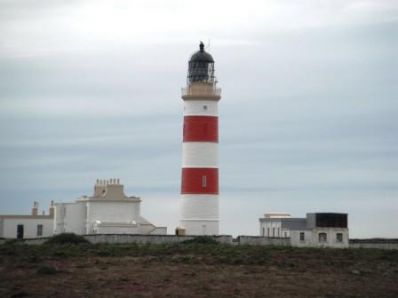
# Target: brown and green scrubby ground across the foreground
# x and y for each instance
(194, 270)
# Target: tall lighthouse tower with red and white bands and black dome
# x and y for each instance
(199, 177)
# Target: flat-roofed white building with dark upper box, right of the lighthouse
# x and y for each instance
(316, 230)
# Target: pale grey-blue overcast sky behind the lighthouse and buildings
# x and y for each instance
(308, 115)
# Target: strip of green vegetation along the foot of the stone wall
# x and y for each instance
(203, 250)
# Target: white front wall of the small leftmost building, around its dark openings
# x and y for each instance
(30, 227)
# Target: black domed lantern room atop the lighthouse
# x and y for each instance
(201, 67)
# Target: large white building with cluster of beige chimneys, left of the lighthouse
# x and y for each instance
(108, 211)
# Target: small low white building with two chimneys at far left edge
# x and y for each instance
(27, 226)
